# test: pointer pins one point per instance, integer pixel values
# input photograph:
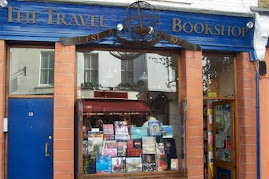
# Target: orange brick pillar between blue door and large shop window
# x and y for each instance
(64, 98)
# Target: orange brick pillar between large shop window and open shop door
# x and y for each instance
(191, 90)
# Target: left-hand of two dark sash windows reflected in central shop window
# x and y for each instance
(91, 67)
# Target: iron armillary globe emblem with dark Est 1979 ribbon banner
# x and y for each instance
(140, 28)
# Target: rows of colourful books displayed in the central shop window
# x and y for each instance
(112, 150)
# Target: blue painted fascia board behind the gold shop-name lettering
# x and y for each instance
(42, 31)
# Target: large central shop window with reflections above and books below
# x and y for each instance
(114, 135)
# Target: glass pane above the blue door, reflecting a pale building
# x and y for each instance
(31, 71)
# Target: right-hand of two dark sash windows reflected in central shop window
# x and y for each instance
(127, 71)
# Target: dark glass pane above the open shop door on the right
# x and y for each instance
(218, 76)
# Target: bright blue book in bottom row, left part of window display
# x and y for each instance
(103, 164)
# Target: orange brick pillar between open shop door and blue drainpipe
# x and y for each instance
(246, 105)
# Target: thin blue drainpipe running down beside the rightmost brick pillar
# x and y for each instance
(258, 120)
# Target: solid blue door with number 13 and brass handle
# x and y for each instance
(30, 142)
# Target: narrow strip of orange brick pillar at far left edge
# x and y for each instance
(2, 103)
